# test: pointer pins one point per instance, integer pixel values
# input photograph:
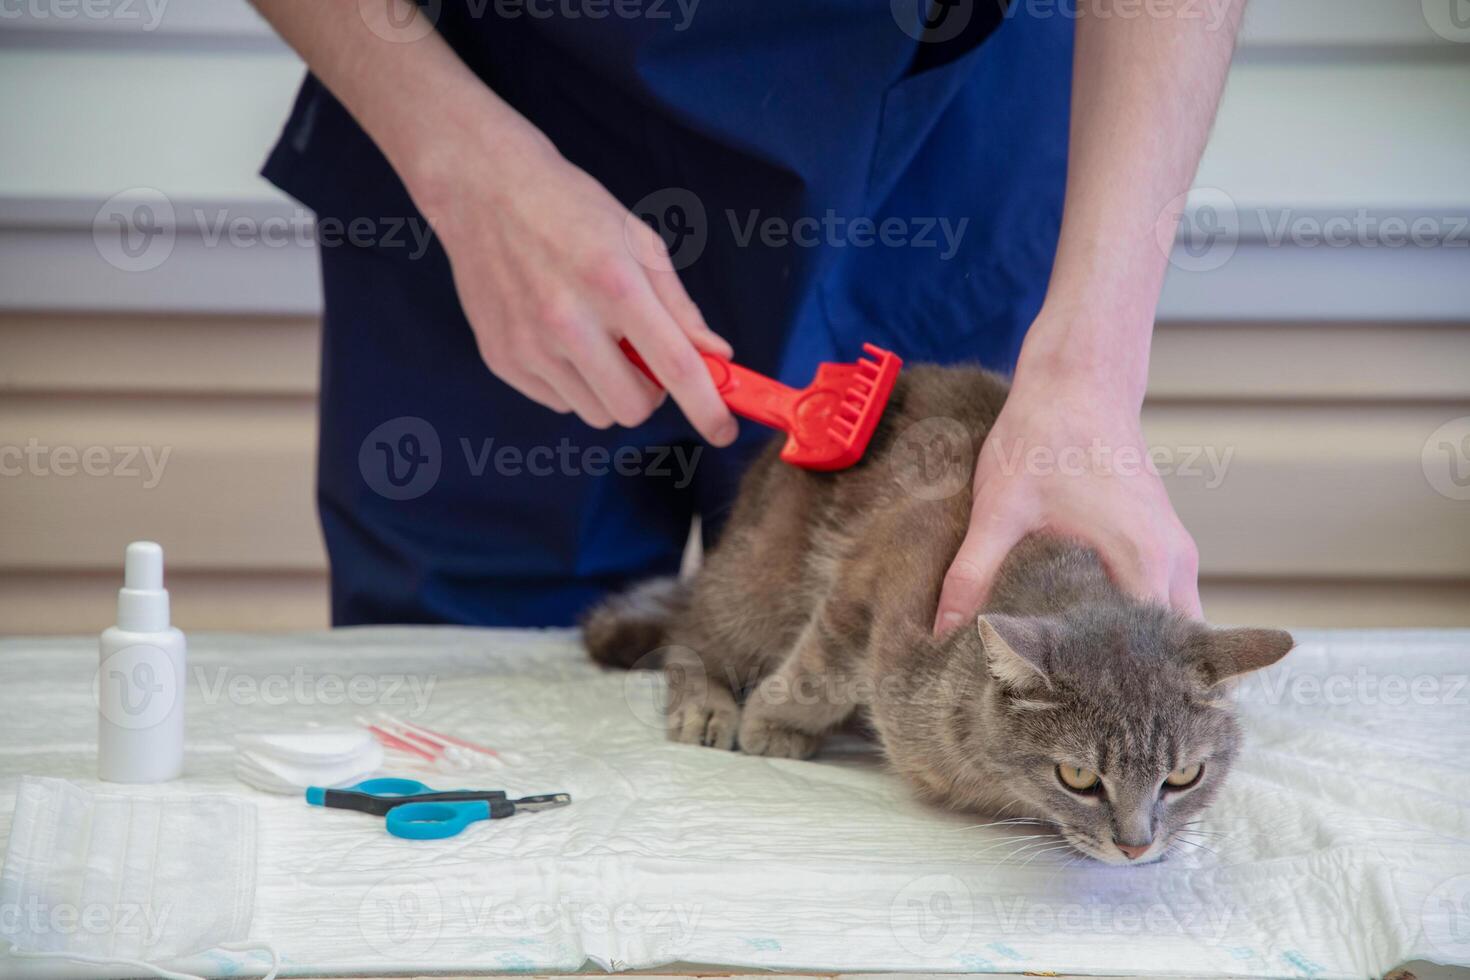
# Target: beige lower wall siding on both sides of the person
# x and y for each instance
(1324, 516)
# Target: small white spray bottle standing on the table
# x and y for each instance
(140, 681)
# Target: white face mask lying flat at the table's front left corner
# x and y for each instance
(127, 879)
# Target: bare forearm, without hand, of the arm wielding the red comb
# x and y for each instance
(404, 84)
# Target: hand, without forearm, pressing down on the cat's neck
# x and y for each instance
(1068, 458)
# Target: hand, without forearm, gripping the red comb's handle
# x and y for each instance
(552, 271)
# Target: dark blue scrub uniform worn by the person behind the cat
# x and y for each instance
(822, 177)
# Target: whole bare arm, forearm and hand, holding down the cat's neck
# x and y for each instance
(1144, 93)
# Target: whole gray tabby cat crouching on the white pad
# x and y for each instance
(1068, 703)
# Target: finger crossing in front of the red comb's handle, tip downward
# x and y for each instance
(678, 367)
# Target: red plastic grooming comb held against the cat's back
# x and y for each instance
(828, 424)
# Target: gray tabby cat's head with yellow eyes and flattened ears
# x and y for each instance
(1115, 719)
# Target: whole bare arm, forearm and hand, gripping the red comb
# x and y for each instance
(552, 271)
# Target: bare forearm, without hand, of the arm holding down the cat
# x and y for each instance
(1147, 82)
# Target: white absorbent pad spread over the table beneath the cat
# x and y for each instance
(1341, 847)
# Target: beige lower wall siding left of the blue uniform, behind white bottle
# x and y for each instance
(229, 400)
